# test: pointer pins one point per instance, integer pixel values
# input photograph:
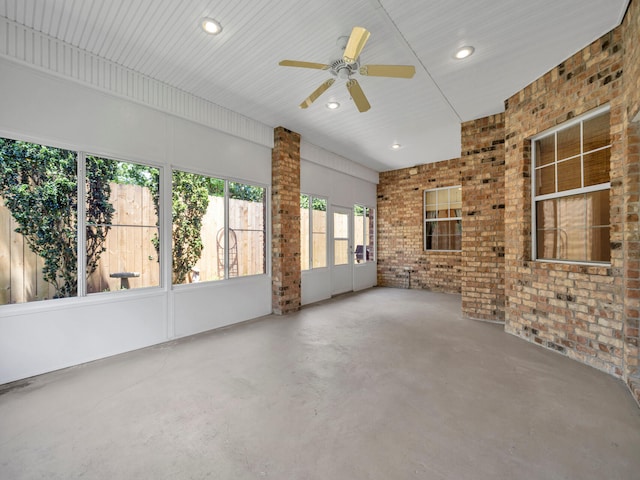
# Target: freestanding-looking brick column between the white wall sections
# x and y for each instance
(285, 222)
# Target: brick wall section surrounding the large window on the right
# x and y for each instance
(576, 310)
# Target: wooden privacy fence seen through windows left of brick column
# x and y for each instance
(129, 247)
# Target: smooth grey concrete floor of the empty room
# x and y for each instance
(384, 384)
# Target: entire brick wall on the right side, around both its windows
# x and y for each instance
(589, 313)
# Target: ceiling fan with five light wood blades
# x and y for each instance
(348, 65)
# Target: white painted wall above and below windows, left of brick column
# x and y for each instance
(39, 337)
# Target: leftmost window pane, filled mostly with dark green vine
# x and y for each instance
(38, 227)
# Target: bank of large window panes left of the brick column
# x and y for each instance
(60, 209)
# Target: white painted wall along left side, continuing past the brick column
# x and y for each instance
(64, 111)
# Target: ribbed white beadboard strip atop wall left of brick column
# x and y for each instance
(42, 52)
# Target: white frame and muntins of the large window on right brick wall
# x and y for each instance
(565, 193)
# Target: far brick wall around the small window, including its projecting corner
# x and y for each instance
(477, 271)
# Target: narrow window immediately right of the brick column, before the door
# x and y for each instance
(313, 219)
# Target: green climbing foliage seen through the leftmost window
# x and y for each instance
(39, 186)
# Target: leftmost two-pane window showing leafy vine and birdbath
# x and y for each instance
(48, 225)
